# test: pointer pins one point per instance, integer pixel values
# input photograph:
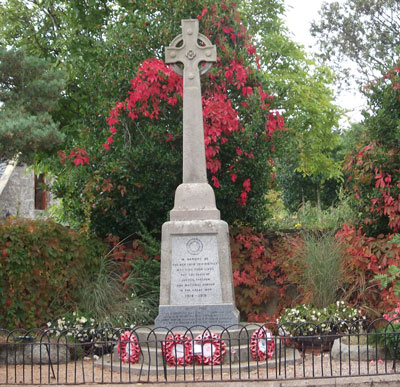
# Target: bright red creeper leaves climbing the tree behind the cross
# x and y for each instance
(156, 86)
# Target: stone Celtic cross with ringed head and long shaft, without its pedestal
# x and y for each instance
(185, 49)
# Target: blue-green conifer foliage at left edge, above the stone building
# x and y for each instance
(29, 90)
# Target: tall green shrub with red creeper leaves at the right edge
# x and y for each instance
(374, 176)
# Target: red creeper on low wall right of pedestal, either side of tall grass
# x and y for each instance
(262, 270)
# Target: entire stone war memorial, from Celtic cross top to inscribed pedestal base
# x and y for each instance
(196, 271)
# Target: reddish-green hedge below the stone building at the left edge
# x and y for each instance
(41, 264)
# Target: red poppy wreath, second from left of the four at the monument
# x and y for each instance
(177, 350)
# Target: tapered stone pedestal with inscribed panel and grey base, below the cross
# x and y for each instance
(199, 287)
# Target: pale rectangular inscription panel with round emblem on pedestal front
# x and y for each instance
(195, 277)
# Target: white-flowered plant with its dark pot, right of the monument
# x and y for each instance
(317, 328)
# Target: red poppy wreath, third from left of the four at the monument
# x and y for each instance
(209, 348)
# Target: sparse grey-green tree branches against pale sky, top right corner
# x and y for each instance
(364, 32)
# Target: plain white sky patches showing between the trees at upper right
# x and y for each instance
(299, 16)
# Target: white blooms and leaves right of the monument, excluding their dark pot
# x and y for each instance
(306, 320)
